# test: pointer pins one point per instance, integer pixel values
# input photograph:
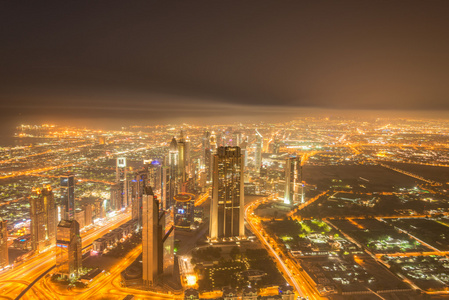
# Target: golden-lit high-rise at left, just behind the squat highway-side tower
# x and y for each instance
(43, 218)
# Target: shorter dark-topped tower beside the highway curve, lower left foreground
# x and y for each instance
(68, 249)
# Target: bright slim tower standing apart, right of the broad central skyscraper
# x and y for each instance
(293, 180)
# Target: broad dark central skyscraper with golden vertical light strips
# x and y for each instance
(226, 210)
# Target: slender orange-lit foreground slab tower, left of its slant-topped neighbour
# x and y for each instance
(150, 237)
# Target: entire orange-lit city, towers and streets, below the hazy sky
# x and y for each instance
(356, 186)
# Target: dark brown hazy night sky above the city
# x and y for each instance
(142, 60)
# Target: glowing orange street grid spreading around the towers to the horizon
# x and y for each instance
(379, 179)
